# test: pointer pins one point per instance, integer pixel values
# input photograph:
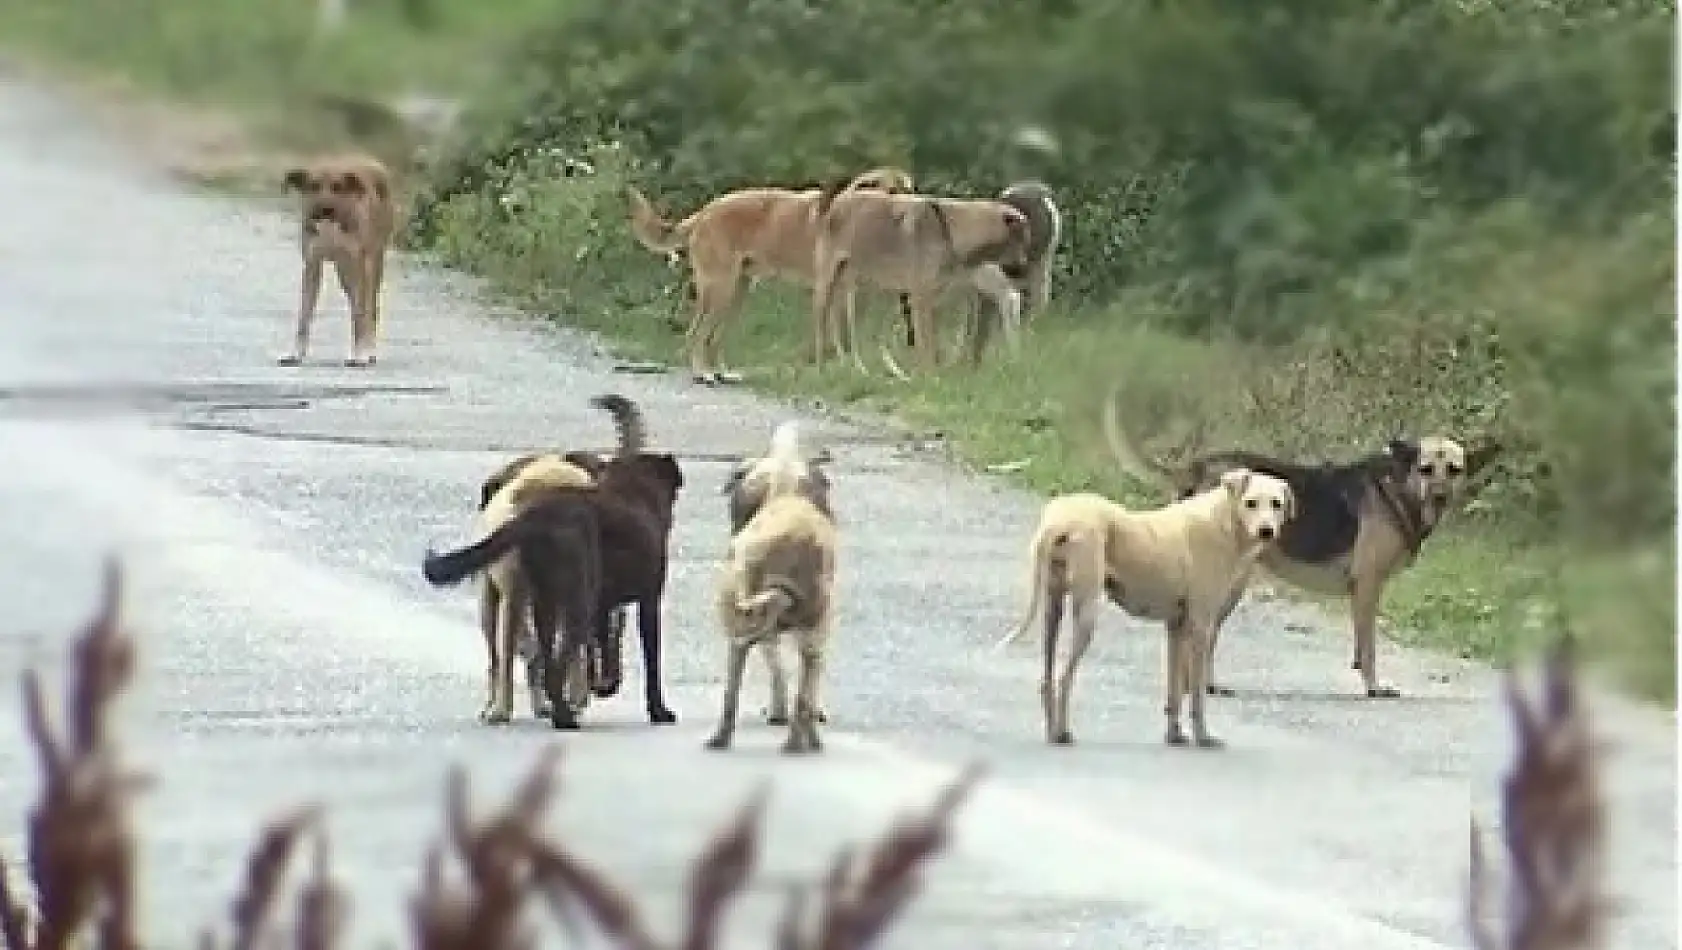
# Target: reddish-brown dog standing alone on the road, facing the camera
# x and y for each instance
(346, 218)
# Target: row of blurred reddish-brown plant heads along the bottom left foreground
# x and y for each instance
(82, 855)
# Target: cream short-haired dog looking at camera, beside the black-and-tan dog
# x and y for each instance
(1177, 566)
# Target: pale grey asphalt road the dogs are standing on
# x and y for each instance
(273, 525)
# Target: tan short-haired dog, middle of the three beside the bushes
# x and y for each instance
(919, 246)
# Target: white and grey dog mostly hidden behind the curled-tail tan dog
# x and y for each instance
(751, 482)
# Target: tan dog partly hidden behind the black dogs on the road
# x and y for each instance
(504, 601)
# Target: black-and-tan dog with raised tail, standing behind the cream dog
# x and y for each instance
(1358, 525)
